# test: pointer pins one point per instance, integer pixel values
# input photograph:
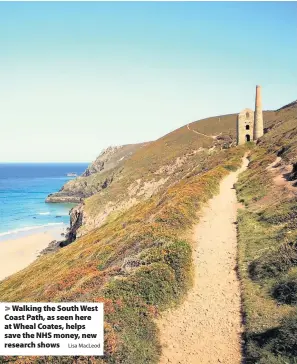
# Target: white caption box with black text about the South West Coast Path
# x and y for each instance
(51, 329)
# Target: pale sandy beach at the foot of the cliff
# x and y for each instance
(16, 254)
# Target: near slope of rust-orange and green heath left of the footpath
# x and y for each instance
(138, 263)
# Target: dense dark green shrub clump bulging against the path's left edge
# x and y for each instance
(163, 279)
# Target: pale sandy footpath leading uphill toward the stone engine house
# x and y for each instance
(206, 328)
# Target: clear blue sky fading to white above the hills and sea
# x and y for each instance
(77, 77)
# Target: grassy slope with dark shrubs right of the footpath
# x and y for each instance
(267, 229)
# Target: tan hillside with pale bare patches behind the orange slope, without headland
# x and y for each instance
(157, 166)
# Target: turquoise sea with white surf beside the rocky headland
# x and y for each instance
(23, 190)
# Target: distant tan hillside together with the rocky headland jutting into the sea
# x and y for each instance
(151, 168)
